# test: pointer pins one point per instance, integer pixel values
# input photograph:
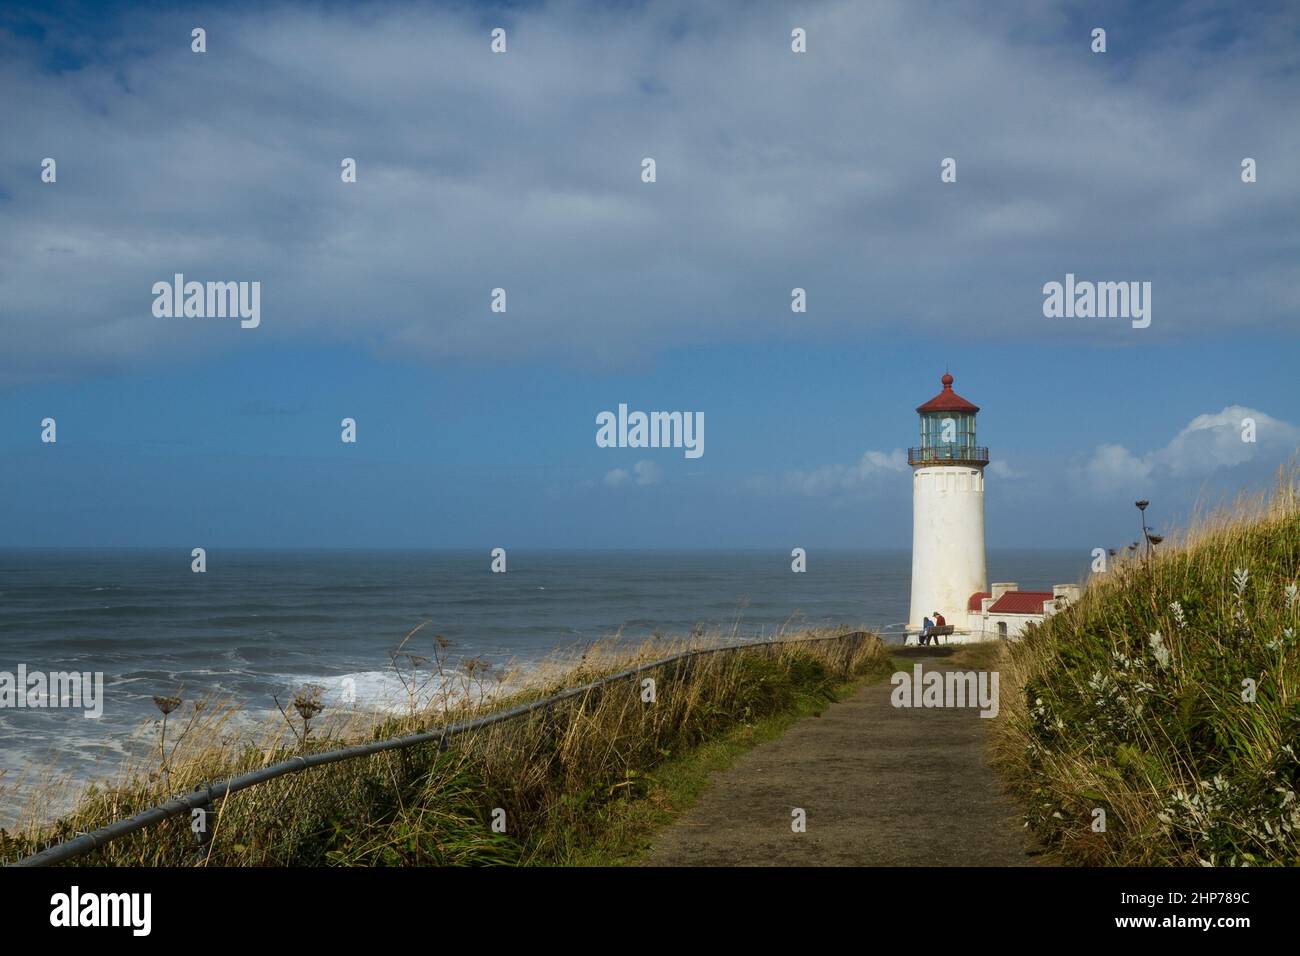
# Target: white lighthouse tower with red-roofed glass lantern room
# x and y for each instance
(947, 511)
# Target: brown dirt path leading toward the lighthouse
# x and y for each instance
(881, 788)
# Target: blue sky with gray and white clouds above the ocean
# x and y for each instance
(523, 171)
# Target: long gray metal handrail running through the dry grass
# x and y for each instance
(203, 799)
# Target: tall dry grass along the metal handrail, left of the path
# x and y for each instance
(551, 777)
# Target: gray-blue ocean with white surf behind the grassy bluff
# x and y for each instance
(265, 624)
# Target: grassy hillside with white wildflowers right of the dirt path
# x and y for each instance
(1169, 699)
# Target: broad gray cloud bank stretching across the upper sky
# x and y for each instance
(523, 171)
